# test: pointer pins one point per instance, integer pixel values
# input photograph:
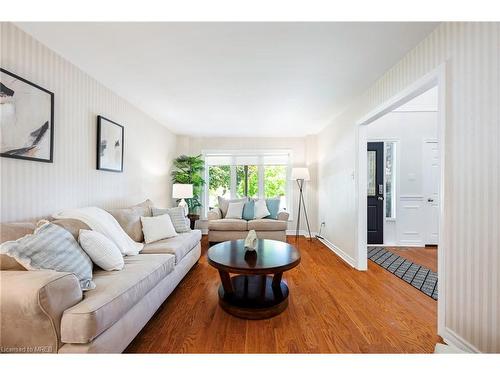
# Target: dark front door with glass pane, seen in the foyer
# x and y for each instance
(375, 192)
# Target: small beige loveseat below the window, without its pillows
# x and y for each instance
(221, 229)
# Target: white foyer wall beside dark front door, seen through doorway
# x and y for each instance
(409, 129)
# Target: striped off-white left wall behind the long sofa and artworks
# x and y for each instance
(31, 189)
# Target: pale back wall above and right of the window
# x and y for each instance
(304, 153)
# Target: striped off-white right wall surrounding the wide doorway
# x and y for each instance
(471, 206)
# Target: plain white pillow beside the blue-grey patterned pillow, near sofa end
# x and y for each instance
(101, 250)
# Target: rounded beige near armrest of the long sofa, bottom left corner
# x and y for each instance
(31, 308)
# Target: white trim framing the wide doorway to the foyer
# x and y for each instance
(436, 77)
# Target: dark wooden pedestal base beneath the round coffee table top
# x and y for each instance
(254, 296)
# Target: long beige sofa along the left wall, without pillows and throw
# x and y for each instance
(46, 311)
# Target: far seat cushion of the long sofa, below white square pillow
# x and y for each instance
(179, 245)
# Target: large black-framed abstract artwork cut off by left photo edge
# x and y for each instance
(26, 119)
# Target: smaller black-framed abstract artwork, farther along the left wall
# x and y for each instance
(109, 145)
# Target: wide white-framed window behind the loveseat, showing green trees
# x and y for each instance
(239, 174)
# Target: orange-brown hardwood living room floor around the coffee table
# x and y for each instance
(333, 309)
